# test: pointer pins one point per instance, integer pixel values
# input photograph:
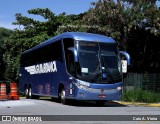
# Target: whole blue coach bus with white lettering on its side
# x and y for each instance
(73, 65)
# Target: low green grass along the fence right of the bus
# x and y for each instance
(139, 95)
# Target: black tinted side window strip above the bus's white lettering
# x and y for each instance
(44, 54)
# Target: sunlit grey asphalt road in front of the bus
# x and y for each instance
(111, 110)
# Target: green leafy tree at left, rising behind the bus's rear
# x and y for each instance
(33, 33)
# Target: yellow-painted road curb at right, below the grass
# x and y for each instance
(139, 104)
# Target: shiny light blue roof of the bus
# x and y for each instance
(82, 36)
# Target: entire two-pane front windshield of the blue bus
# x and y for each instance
(97, 59)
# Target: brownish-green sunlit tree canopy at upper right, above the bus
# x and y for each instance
(117, 19)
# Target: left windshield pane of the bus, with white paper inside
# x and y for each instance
(88, 59)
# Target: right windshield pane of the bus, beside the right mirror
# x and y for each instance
(110, 62)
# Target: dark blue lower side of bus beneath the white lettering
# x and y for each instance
(44, 83)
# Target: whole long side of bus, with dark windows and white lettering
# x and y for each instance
(43, 78)
